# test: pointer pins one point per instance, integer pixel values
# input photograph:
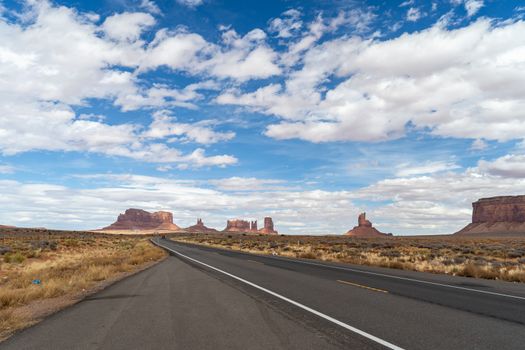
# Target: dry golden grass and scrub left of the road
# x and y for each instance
(42, 271)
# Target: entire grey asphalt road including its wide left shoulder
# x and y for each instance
(206, 298)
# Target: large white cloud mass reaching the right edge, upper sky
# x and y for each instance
(449, 82)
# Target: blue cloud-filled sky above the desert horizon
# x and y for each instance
(306, 111)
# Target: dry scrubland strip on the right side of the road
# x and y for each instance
(490, 258)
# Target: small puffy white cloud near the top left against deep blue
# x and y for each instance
(127, 26)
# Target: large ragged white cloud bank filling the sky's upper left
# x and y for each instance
(40, 88)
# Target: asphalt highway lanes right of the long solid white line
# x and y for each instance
(405, 309)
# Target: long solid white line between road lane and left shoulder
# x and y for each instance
(304, 307)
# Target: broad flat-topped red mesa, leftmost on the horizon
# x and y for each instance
(138, 220)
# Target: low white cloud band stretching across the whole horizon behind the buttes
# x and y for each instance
(436, 203)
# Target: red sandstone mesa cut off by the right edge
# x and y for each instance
(503, 215)
